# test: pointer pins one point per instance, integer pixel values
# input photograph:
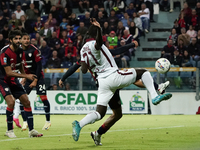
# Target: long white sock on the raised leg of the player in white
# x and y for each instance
(148, 82)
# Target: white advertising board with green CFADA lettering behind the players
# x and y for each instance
(83, 102)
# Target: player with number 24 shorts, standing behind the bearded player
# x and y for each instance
(34, 66)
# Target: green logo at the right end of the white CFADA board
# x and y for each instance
(137, 103)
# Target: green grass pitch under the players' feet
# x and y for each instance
(135, 132)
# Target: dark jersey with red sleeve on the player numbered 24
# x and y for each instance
(32, 55)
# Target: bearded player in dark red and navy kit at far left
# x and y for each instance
(12, 60)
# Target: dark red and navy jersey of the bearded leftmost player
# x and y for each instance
(10, 58)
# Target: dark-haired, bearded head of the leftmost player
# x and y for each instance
(15, 38)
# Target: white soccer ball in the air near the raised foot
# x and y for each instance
(162, 65)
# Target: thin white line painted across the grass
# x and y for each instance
(14, 139)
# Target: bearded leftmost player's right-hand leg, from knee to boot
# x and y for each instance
(28, 112)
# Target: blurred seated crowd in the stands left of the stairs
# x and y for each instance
(58, 32)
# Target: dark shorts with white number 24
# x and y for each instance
(40, 87)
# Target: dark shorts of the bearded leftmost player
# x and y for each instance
(15, 89)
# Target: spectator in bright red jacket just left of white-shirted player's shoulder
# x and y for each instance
(70, 52)
